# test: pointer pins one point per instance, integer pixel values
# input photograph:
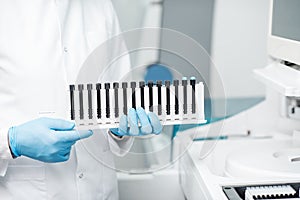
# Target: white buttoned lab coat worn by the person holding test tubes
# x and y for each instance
(42, 46)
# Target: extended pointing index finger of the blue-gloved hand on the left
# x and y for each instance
(69, 136)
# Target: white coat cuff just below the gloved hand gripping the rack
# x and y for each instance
(119, 146)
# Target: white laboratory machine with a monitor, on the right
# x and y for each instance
(260, 156)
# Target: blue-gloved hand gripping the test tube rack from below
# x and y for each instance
(150, 124)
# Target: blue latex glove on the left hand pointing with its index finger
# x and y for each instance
(45, 139)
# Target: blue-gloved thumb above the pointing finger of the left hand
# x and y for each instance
(58, 124)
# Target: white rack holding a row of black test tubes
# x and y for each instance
(177, 102)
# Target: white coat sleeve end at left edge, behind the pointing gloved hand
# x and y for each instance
(5, 154)
